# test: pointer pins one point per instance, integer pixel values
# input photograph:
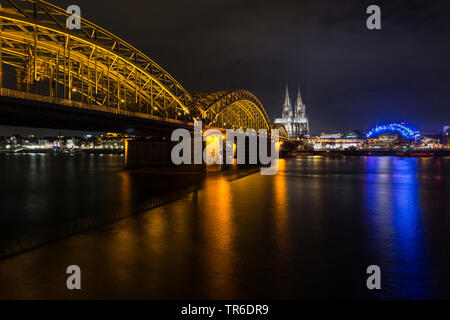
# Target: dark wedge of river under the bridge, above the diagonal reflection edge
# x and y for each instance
(46, 197)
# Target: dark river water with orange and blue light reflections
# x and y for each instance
(308, 232)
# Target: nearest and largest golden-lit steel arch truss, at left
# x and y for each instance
(90, 65)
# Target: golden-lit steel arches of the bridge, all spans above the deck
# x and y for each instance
(91, 69)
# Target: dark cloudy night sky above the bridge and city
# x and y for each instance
(350, 77)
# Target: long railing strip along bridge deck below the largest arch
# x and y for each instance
(5, 92)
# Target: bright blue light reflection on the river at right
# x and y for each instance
(395, 225)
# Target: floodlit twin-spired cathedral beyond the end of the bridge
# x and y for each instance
(296, 124)
